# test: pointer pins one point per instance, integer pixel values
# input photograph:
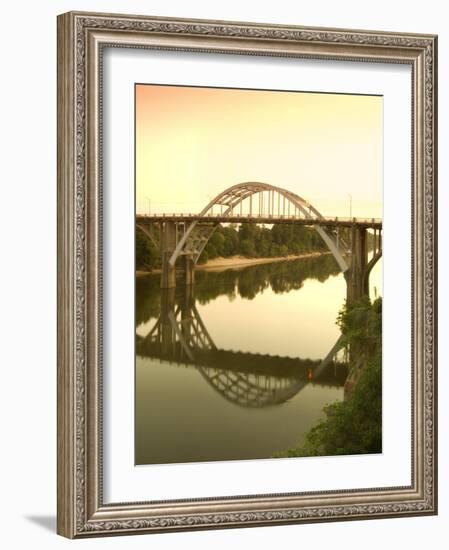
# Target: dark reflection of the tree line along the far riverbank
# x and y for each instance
(246, 283)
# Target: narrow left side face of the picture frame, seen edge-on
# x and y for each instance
(66, 286)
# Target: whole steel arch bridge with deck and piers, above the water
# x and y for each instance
(181, 238)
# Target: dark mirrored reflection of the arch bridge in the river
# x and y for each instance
(180, 337)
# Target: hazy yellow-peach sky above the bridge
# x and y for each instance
(192, 143)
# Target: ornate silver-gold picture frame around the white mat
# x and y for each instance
(83, 511)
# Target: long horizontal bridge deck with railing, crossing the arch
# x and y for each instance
(369, 223)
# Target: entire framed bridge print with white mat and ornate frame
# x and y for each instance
(246, 274)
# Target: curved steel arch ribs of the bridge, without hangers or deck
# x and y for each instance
(196, 236)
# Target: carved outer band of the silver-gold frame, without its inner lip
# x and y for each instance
(77, 445)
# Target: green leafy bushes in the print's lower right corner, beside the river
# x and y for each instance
(353, 426)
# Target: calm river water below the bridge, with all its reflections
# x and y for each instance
(240, 365)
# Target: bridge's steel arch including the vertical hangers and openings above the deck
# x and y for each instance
(260, 200)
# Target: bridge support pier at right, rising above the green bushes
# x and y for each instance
(357, 275)
